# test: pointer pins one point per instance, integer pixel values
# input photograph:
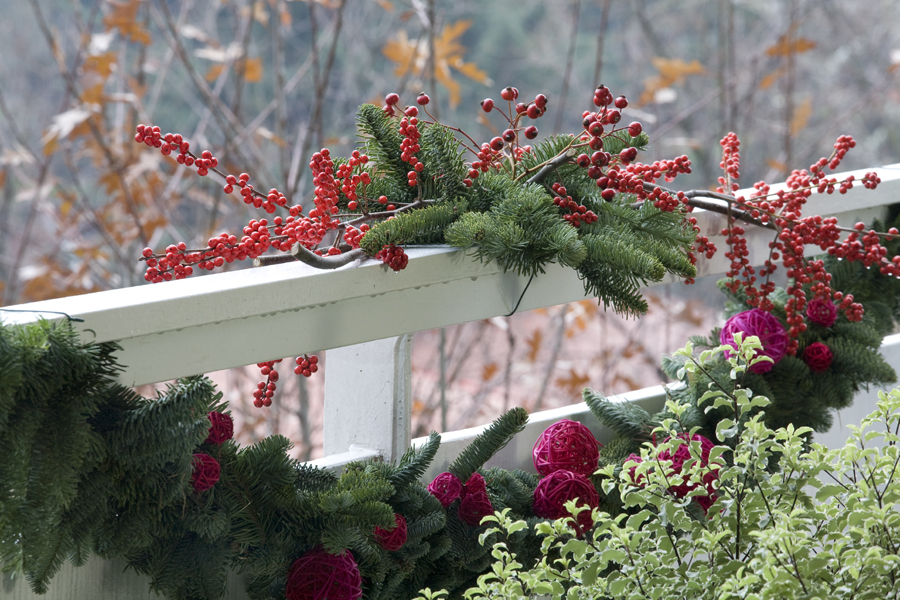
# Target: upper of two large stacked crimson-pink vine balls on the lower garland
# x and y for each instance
(566, 445)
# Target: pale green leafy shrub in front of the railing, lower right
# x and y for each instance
(821, 526)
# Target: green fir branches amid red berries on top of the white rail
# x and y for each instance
(512, 220)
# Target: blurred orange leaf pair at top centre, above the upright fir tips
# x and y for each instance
(412, 57)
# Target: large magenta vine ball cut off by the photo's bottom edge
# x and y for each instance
(318, 575)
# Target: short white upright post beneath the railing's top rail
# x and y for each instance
(368, 397)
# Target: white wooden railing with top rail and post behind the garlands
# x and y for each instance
(232, 319)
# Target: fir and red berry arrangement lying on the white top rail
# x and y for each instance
(581, 200)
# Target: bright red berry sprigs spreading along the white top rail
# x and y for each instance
(326, 237)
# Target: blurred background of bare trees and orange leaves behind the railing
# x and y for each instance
(265, 83)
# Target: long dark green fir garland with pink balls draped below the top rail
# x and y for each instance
(116, 477)
